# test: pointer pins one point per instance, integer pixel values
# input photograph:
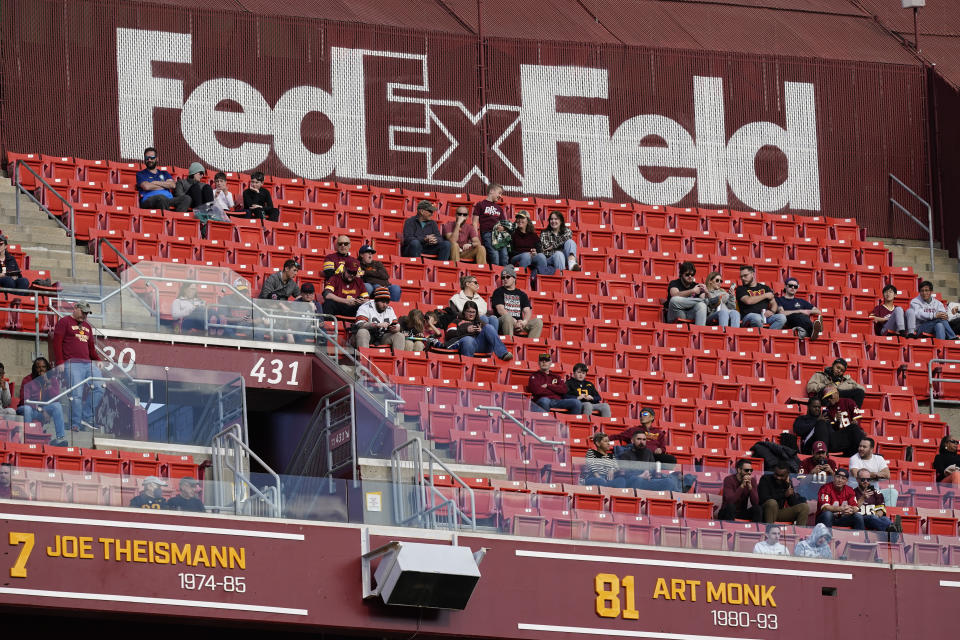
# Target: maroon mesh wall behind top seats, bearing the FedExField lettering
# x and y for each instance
(443, 110)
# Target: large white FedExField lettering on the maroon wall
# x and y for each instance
(712, 161)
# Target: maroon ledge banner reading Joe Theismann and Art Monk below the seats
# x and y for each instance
(309, 574)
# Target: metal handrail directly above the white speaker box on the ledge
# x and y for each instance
(423, 481)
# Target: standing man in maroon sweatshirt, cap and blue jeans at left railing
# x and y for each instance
(74, 346)
